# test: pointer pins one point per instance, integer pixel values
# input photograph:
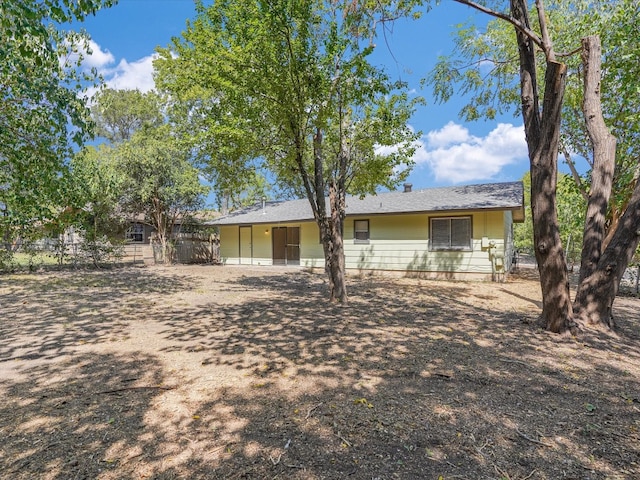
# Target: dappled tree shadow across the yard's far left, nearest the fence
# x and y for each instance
(44, 316)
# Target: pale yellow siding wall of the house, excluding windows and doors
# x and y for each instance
(397, 243)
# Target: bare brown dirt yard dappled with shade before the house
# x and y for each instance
(204, 372)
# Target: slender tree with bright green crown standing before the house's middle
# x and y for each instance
(286, 85)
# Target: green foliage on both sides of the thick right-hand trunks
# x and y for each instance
(486, 66)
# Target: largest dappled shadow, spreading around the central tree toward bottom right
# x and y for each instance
(450, 387)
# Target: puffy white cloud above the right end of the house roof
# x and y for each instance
(456, 156)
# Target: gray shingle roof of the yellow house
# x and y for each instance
(491, 196)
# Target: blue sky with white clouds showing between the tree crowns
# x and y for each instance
(450, 151)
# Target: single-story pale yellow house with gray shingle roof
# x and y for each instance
(450, 232)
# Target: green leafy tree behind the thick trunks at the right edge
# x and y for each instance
(618, 81)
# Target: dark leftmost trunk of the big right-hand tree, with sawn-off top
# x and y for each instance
(542, 132)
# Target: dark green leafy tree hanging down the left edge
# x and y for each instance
(42, 116)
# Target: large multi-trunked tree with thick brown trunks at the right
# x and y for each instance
(602, 264)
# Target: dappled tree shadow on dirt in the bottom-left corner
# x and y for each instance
(79, 418)
